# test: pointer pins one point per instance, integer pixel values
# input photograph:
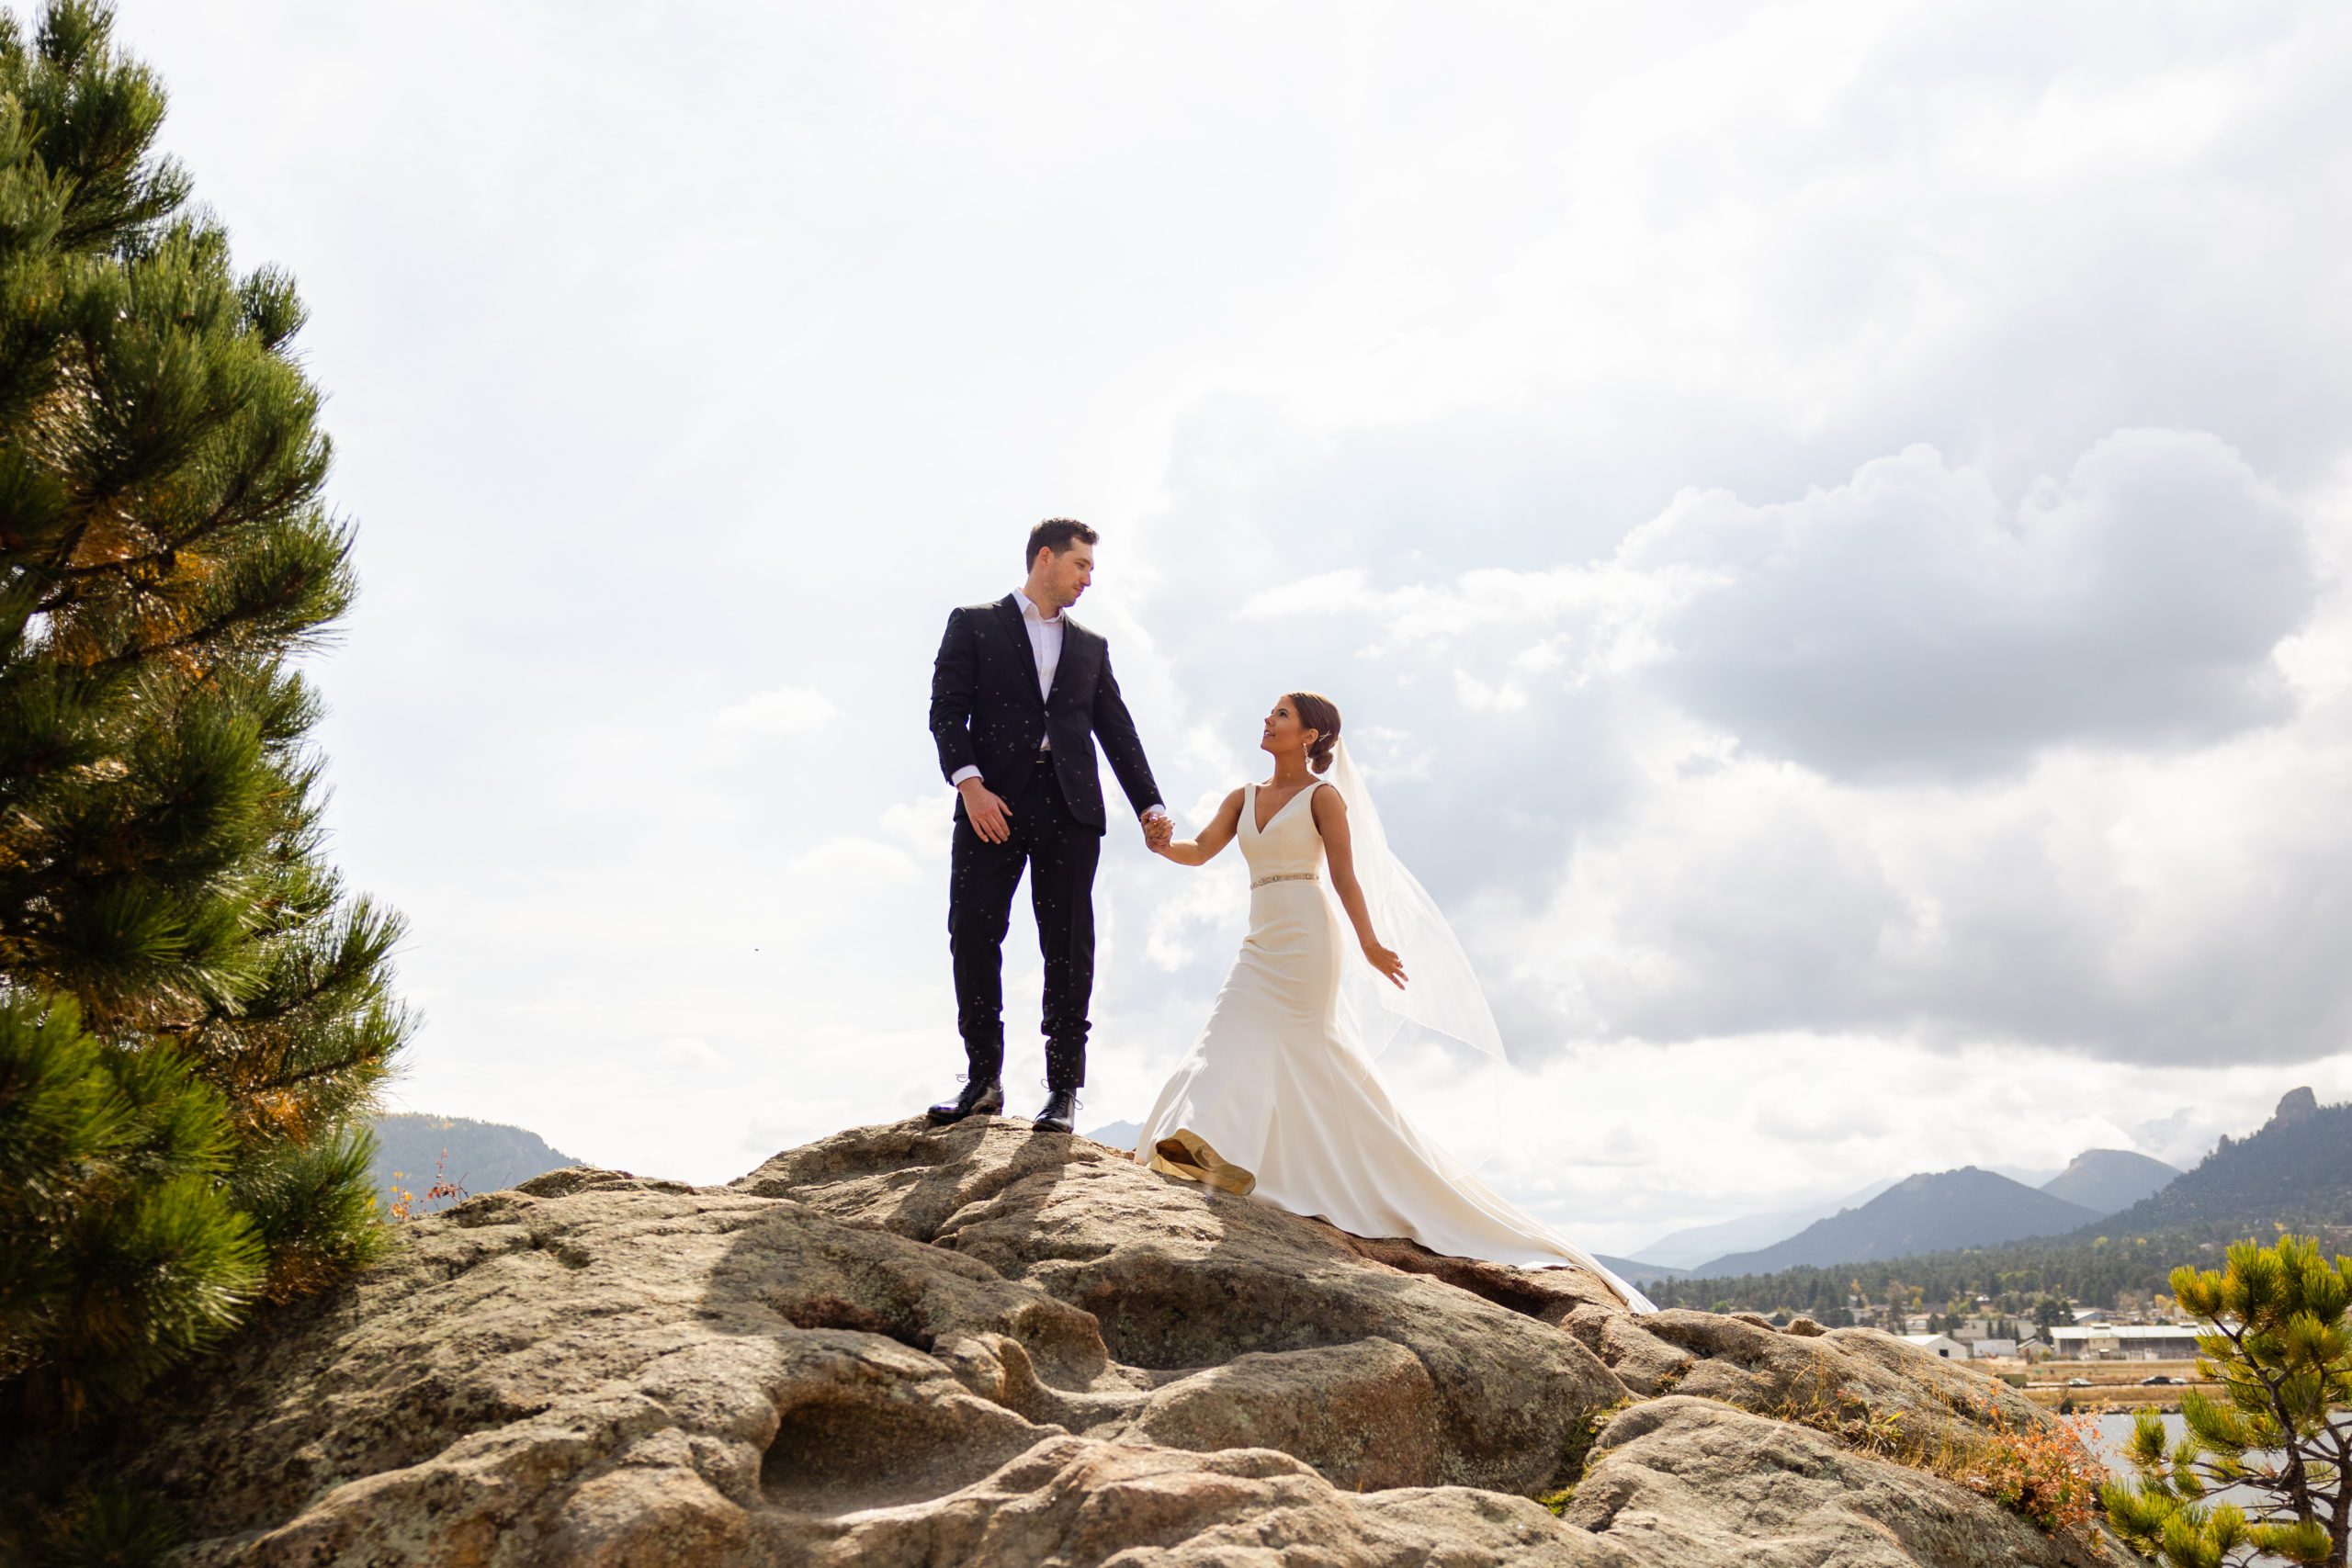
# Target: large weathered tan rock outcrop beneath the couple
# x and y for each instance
(984, 1346)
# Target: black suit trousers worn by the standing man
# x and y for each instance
(1060, 855)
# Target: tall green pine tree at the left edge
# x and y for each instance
(194, 1012)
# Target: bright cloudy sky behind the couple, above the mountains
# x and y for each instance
(1831, 523)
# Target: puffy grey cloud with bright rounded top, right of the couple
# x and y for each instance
(1911, 622)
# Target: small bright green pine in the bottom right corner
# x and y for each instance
(2280, 1435)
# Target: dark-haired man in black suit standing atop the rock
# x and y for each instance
(1020, 697)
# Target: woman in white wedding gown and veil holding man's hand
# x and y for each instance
(1278, 1094)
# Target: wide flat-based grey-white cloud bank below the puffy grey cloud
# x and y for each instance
(2097, 904)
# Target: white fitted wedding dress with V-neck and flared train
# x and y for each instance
(1281, 1101)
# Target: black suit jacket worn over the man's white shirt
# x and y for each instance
(987, 711)
